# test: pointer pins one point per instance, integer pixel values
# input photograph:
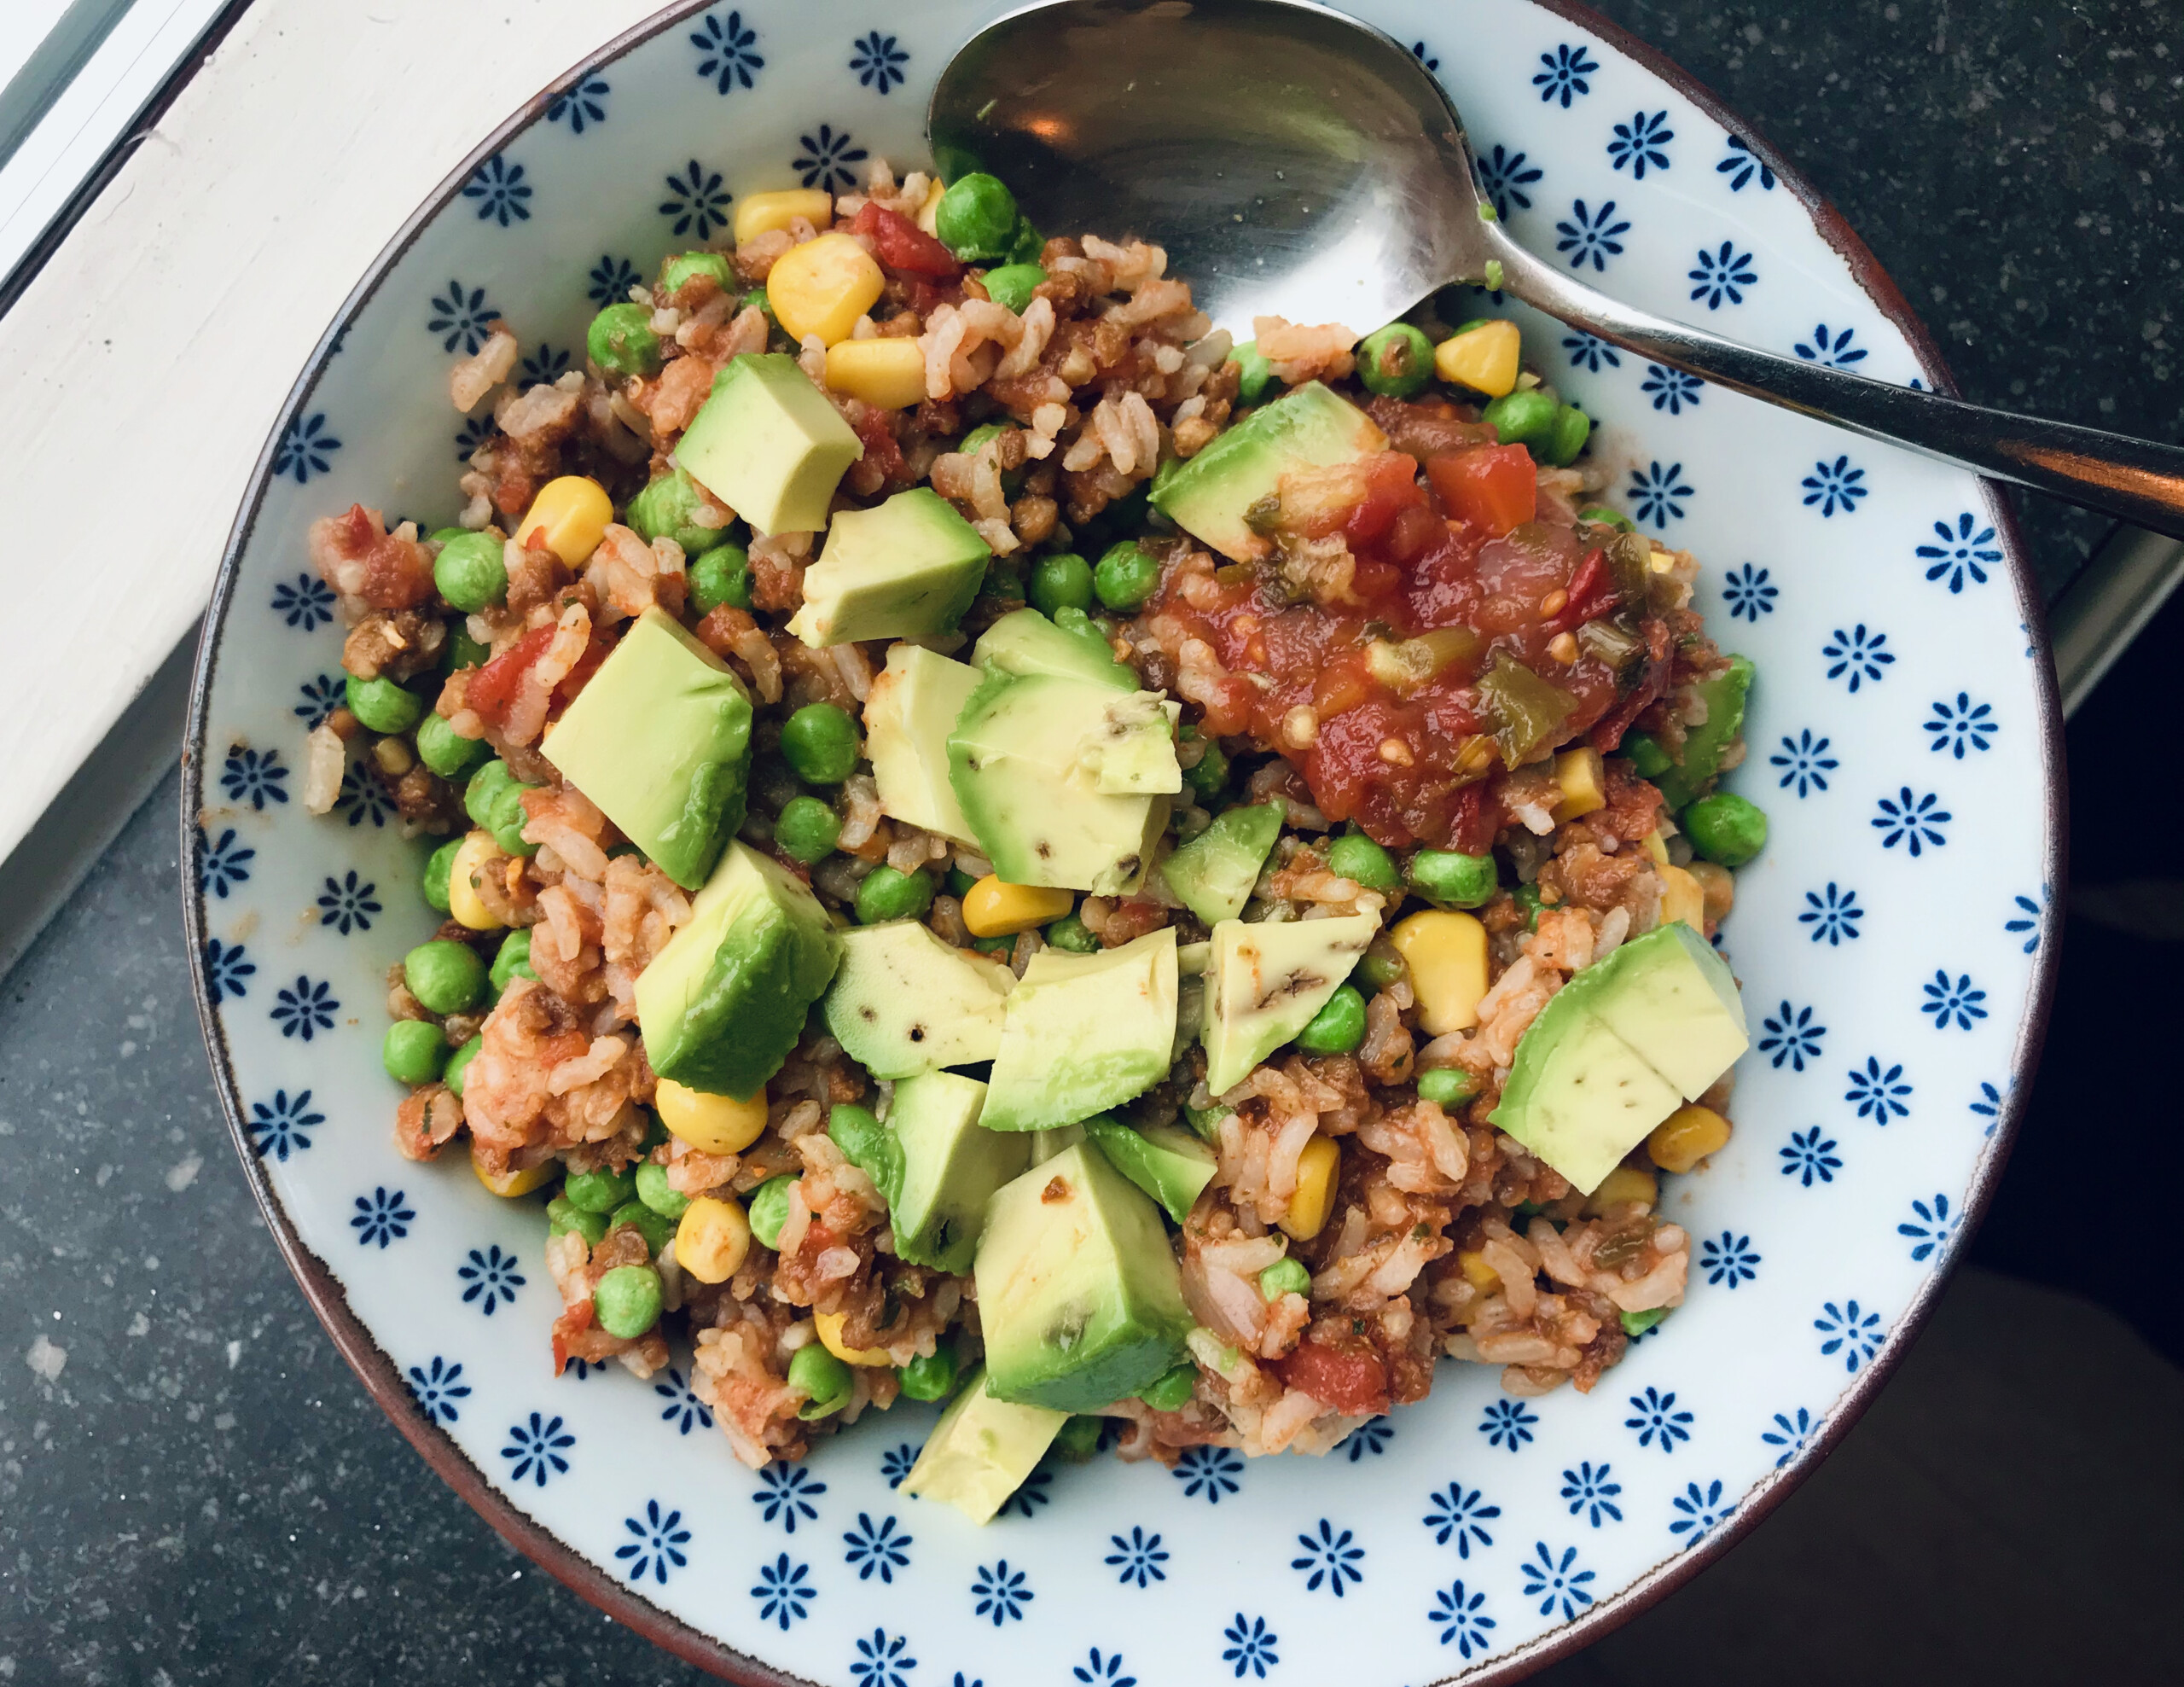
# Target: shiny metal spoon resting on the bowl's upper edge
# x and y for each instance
(1301, 163)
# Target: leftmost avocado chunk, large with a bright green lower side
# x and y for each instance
(661, 742)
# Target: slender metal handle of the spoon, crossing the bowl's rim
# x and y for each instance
(2135, 480)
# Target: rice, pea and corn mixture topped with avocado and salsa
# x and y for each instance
(1001, 847)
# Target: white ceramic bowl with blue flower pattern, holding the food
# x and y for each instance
(1892, 939)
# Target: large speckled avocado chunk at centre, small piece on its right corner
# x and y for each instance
(1017, 766)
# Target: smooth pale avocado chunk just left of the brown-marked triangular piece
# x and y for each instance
(1084, 1035)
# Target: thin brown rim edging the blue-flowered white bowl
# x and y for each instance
(383, 1378)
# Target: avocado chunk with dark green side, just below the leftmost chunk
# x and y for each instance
(724, 1004)
